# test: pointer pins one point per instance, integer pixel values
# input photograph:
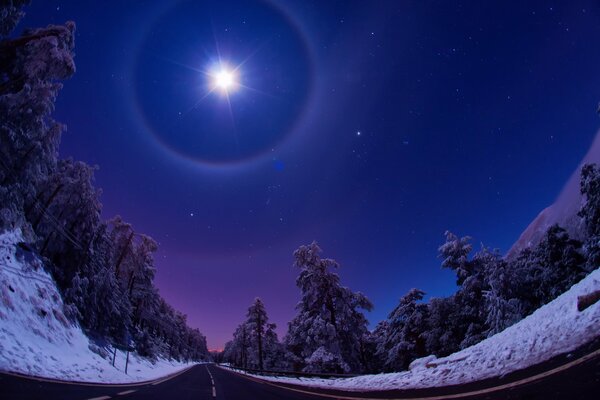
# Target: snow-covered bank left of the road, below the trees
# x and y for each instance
(36, 338)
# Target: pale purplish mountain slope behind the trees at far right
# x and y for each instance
(563, 211)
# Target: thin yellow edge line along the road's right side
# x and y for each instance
(441, 397)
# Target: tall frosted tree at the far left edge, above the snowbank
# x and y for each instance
(30, 67)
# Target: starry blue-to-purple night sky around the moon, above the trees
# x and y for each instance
(368, 126)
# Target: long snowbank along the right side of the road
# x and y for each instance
(553, 329)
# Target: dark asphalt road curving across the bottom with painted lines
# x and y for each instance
(209, 382)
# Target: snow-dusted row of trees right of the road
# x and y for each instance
(329, 332)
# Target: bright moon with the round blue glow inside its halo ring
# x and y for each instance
(251, 88)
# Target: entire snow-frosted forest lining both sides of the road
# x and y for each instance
(105, 269)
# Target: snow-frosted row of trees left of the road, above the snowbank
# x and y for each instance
(104, 269)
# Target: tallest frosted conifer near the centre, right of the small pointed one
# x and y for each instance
(329, 319)
